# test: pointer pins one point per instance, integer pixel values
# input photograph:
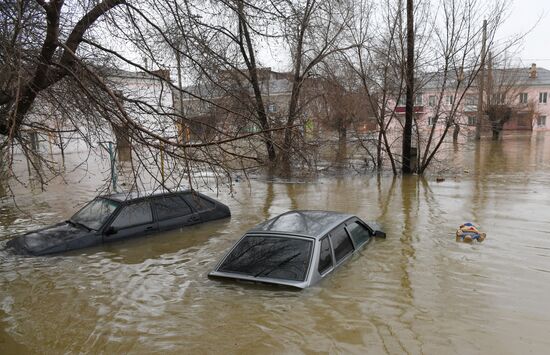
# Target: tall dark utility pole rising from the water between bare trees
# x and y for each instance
(409, 108)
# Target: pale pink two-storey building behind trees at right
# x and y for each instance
(525, 90)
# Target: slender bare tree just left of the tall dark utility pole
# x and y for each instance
(377, 59)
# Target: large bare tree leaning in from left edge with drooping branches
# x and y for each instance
(67, 69)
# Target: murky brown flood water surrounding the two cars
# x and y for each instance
(416, 292)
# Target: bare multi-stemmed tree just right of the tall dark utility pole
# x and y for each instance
(457, 55)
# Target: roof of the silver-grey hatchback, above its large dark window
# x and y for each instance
(309, 223)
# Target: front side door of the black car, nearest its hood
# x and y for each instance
(133, 220)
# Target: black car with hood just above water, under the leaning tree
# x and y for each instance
(118, 216)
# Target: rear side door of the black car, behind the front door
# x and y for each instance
(173, 212)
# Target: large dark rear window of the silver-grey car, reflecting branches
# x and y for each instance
(271, 257)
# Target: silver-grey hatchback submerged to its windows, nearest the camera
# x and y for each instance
(297, 248)
